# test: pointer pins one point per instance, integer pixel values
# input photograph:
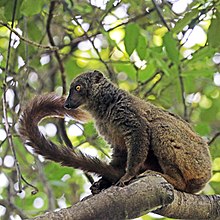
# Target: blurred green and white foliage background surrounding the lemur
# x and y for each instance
(166, 52)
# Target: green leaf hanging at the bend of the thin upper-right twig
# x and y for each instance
(171, 47)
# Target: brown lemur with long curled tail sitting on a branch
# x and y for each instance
(143, 136)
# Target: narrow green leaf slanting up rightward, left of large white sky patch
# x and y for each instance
(181, 23)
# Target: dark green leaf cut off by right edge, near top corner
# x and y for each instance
(214, 32)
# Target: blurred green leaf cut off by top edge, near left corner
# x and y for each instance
(31, 7)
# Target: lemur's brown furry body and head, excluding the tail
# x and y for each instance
(139, 131)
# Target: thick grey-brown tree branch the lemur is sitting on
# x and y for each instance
(150, 192)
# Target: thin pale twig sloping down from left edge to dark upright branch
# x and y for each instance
(27, 40)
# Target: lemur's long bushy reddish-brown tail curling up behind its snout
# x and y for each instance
(51, 105)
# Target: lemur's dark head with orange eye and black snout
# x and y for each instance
(81, 89)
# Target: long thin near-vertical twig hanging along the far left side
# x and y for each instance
(7, 125)
